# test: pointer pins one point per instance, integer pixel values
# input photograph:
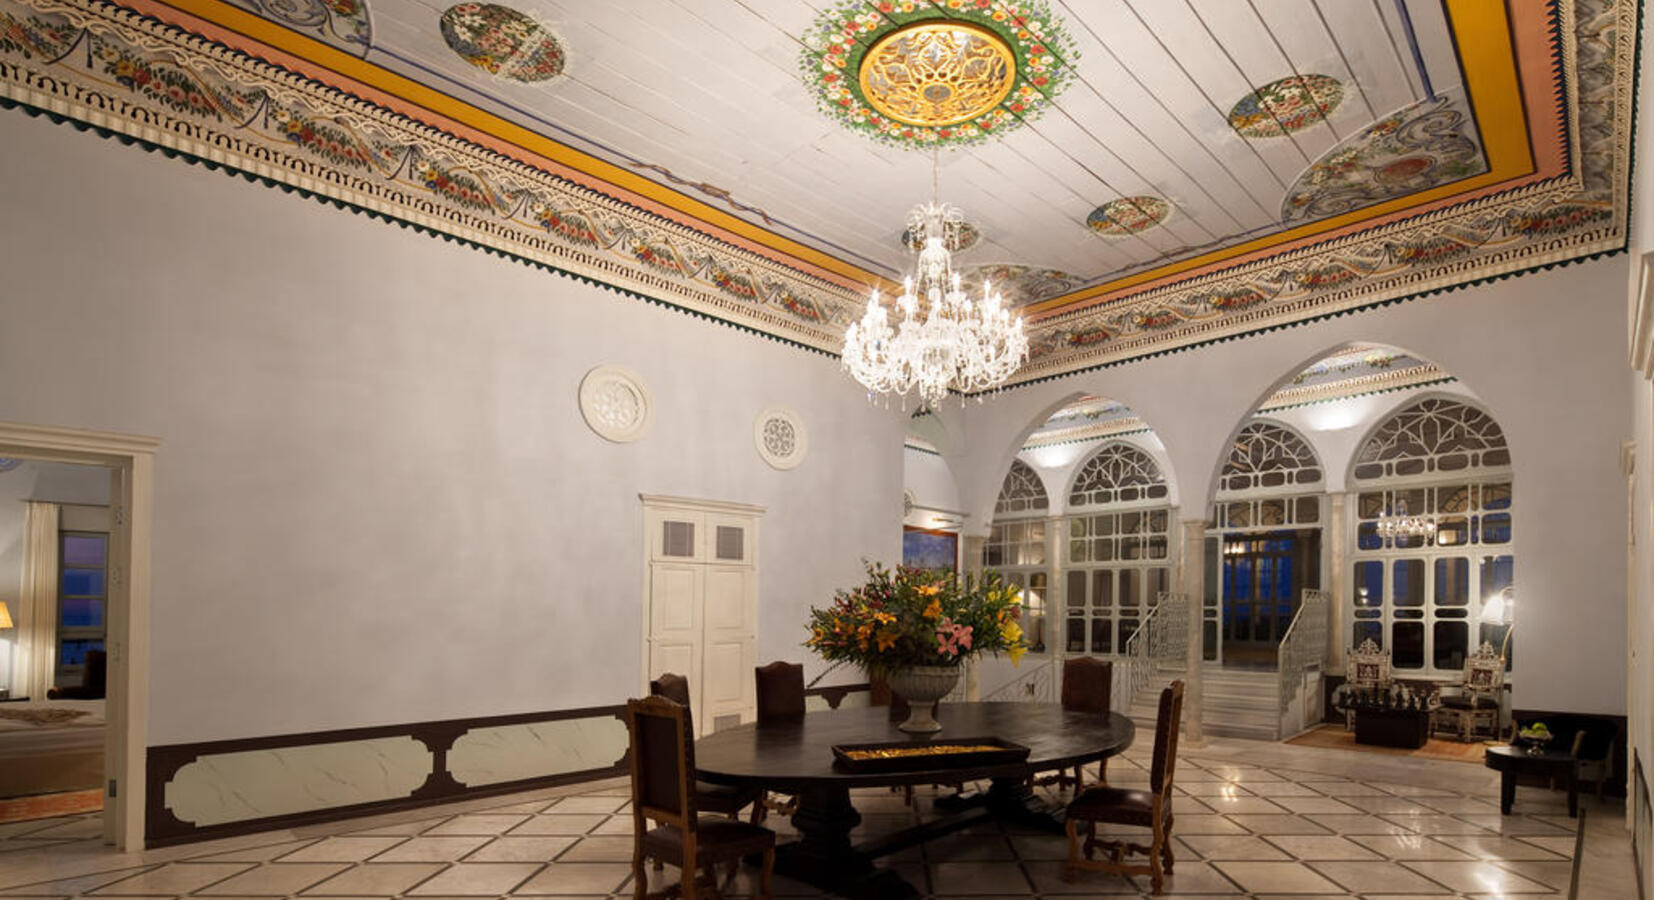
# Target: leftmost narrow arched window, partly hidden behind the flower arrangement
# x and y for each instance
(1016, 545)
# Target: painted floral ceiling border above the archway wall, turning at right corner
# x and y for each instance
(1569, 218)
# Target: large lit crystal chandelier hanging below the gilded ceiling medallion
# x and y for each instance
(945, 340)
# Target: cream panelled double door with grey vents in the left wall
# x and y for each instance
(702, 611)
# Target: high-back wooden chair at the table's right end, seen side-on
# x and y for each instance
(1124, 807)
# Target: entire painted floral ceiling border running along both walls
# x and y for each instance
(146, 80)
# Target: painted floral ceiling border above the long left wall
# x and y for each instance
(136, 77)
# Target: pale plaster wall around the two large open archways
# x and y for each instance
(1546, 353)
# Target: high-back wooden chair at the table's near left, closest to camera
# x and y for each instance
(664, 793)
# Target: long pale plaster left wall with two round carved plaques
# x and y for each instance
(376, 500)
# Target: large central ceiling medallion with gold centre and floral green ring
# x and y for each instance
(929, 74)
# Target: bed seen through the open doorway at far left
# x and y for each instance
(50, 745)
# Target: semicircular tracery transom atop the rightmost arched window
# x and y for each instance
(1436, 436)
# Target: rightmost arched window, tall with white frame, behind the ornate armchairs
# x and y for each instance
(1443, 462)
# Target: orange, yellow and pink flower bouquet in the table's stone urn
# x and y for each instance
(919, 618)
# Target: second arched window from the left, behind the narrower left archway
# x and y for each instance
(1117, 548)
